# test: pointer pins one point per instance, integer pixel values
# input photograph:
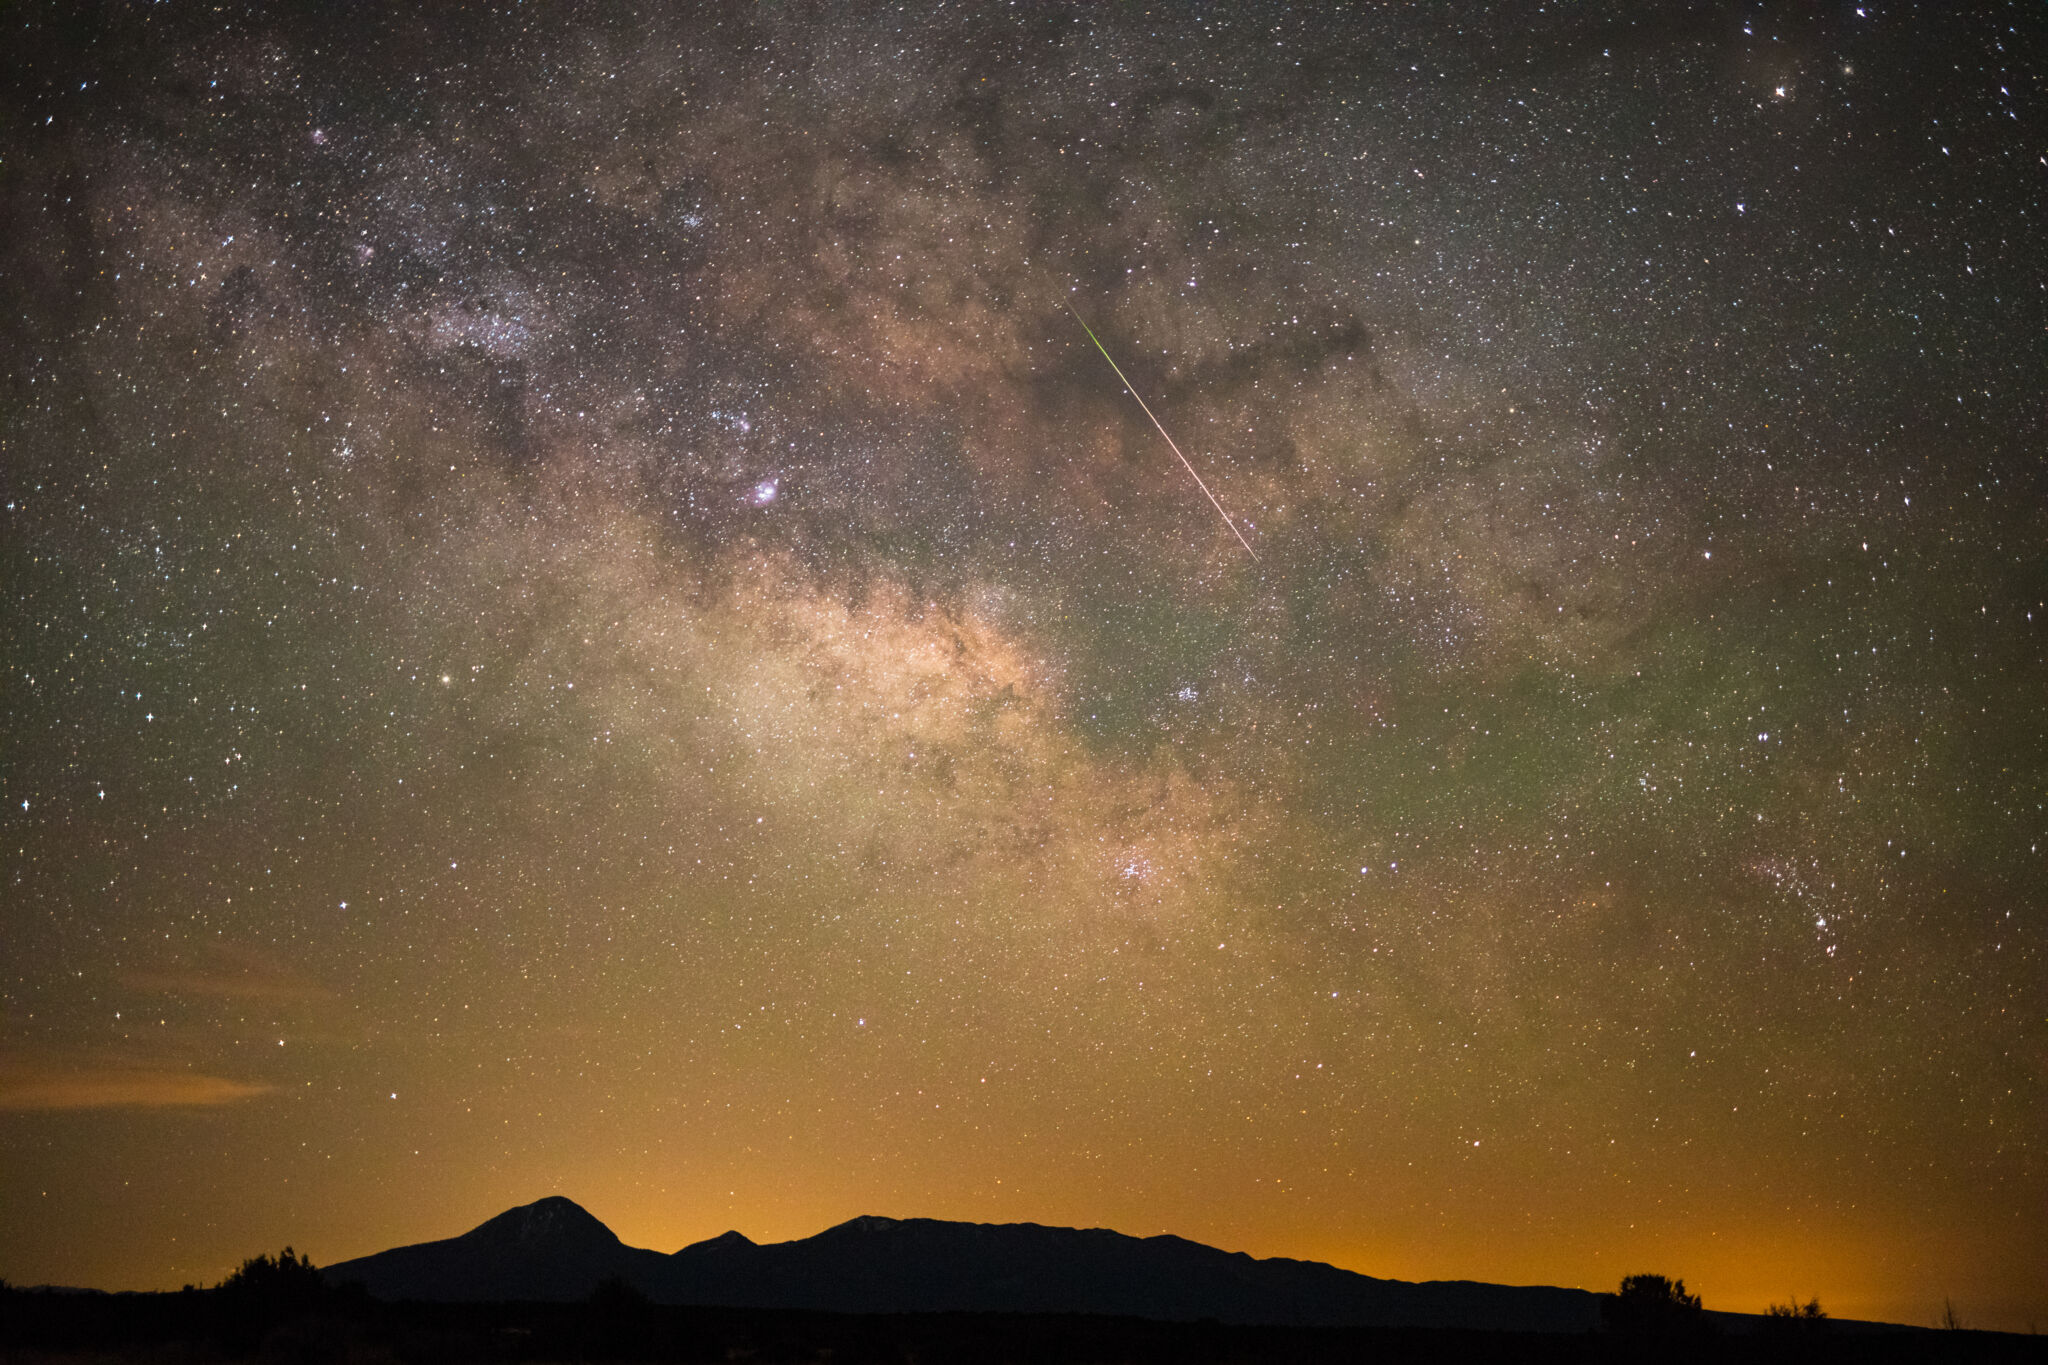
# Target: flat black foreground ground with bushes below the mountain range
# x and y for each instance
(351, 1329)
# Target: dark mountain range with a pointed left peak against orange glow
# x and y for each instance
(888, 1266)
